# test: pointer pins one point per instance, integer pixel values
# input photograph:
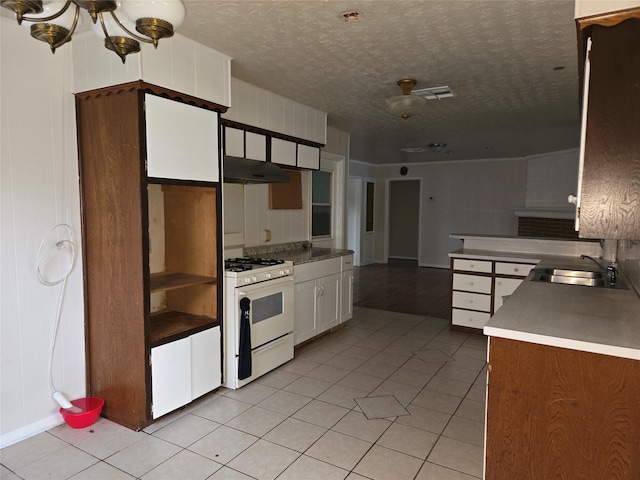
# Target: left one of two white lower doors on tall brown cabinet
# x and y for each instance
(170, 376)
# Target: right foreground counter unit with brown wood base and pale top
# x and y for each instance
(563, 390)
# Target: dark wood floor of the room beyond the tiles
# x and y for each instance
(402, 286)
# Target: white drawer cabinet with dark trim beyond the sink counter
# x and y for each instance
(478, 288)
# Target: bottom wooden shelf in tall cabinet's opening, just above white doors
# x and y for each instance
(167, 326)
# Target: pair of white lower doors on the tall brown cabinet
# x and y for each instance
(184, 370)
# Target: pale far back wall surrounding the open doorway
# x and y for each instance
(458, 197)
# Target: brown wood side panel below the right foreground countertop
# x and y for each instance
(559, 413)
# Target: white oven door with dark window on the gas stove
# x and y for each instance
(271, 310)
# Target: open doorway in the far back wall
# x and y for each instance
(403, 217)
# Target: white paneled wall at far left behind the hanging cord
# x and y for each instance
(39, 178)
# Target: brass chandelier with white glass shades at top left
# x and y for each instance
(55, 21)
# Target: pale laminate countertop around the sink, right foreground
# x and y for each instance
(591, 319)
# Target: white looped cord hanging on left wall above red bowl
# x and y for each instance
(43, 253)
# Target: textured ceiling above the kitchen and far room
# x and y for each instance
(498, 56)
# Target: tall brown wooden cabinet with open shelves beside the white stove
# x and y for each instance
(151, 249)
